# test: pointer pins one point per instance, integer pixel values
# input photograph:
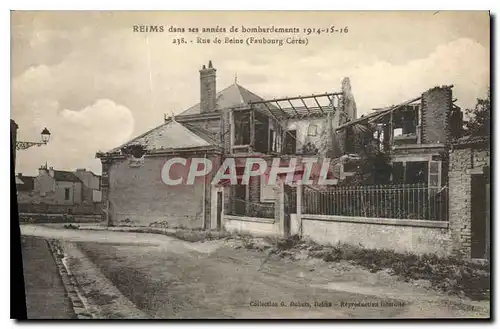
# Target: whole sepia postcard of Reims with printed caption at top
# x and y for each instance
(251, 165)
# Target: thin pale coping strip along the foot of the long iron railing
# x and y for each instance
(379, 221)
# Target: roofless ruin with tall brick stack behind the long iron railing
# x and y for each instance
(416, 135)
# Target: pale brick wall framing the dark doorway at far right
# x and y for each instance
(462, 162)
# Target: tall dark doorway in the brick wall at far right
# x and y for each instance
(478, 216)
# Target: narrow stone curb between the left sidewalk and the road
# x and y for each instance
(69, 282)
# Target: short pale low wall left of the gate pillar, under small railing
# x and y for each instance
(251, 225)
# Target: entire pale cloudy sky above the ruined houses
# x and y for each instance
(95, 83)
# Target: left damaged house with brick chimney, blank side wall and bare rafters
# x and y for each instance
(233, 122)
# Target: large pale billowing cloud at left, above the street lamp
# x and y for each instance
(76, 135)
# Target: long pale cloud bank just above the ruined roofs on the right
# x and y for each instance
(463, 63)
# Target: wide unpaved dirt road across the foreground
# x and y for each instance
(169, 278)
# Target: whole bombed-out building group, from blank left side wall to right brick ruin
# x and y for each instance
(236, 123)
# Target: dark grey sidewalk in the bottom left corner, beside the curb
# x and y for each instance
(45, 294)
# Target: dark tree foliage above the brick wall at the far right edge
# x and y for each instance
(480, 117)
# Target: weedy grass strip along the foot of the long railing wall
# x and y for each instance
(448, 274)
